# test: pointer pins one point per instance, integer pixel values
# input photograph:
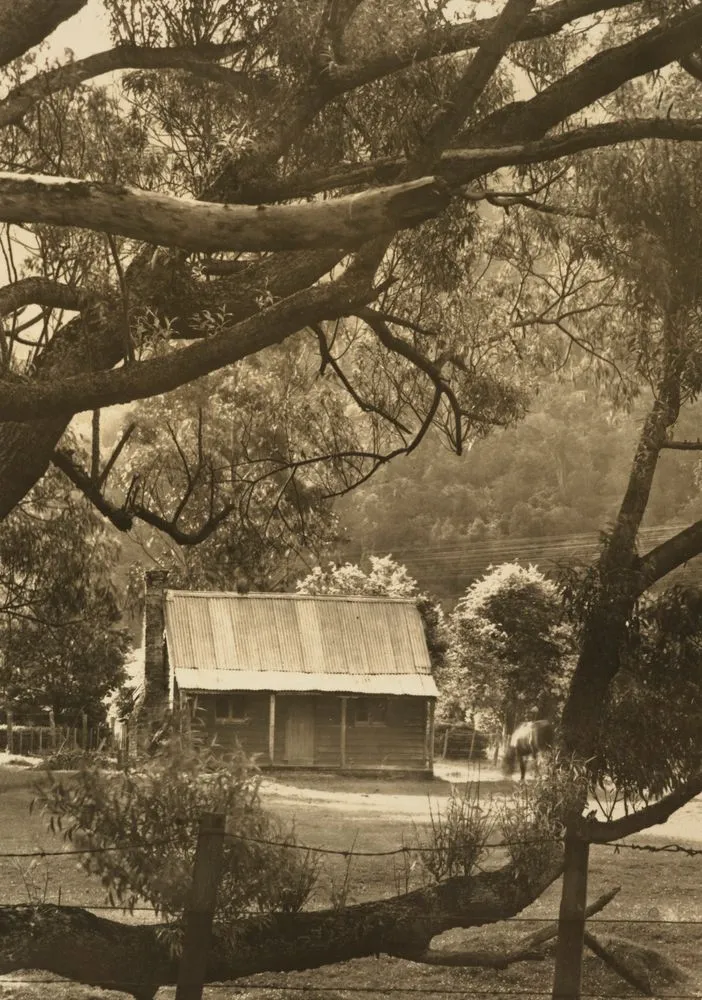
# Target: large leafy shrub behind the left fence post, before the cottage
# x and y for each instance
(147, 817)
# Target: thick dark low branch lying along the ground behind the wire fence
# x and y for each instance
(74, 943)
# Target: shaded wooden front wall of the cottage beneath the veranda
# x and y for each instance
(308, 731)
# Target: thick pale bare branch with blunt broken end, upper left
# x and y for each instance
(204, 226)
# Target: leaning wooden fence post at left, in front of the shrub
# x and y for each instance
(199, 912)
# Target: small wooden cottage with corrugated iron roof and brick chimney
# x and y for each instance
(298, 681)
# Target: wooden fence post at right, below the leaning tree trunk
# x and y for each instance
(571, 920)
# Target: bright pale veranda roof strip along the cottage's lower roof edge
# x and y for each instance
(422, 685)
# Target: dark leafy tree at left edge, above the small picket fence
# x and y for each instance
(61, 644)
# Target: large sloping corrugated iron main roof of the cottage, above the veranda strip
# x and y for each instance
(293, 634)
